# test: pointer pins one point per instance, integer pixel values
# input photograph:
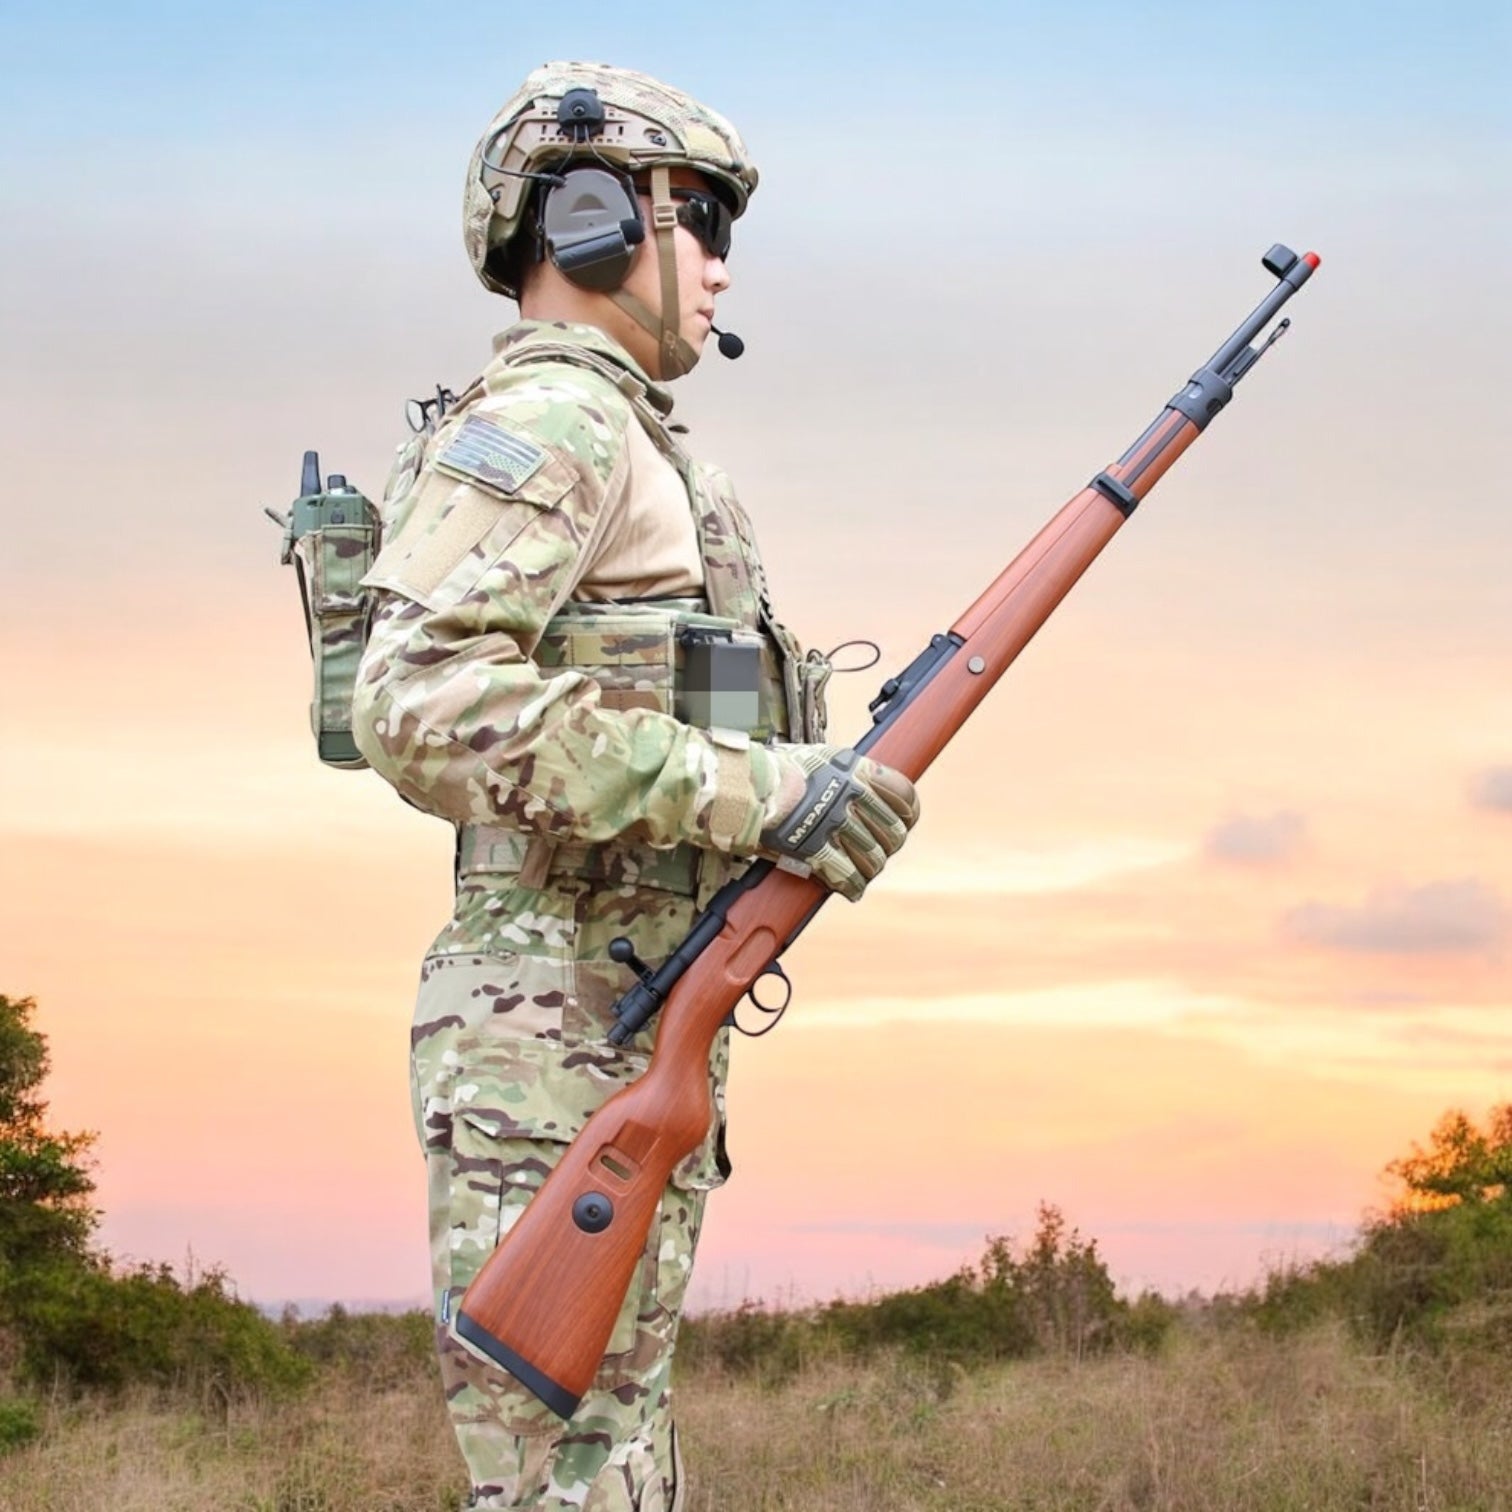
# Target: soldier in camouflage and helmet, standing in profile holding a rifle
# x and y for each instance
(574, 660)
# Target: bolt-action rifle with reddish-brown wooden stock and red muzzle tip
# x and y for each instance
(545, 1303)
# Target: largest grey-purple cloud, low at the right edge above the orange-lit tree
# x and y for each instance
(1440, 919)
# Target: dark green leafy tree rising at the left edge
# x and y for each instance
(45, 1179)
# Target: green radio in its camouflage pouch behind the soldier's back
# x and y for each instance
(332, 536)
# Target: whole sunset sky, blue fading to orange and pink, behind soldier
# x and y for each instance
(1210, 911)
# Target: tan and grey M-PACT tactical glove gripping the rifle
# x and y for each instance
(837, 814)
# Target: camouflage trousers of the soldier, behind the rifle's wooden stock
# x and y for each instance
(509, 1062)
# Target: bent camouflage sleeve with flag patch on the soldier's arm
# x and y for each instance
(451, 708)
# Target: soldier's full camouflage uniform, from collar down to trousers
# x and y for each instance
(522, 681)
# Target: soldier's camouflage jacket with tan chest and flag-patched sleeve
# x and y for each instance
(554, 485)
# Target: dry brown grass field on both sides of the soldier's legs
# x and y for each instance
(1222, 1422)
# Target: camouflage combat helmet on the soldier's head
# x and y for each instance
(646, 125)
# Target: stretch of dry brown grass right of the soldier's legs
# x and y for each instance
(1233, 1424)
